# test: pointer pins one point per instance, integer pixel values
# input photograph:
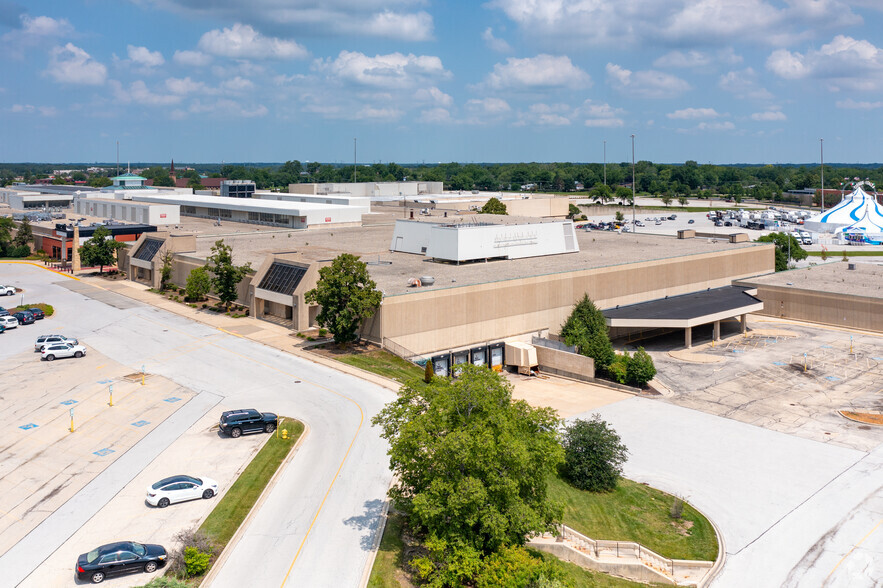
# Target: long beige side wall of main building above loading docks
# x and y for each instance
(458, 317)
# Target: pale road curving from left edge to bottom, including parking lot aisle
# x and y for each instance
(320, 520)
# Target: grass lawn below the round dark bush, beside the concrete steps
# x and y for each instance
(639, 513)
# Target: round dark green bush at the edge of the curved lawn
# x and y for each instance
(593, 455)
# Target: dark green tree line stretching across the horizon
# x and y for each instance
(762, 182)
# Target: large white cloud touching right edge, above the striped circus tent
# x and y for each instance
(851, 63)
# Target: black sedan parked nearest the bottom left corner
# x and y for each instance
(117, 559)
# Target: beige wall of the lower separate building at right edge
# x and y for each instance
(842, 310)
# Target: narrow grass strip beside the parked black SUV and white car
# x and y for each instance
(226, 517)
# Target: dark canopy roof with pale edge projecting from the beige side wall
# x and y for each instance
(686, 310)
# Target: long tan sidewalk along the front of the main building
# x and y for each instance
(266, 333)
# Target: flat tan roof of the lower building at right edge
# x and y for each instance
(833, 277)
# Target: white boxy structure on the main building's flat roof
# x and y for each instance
(473, 241)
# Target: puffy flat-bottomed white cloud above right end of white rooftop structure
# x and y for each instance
(537, 73)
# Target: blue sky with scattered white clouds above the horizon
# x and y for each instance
(720, 81)
